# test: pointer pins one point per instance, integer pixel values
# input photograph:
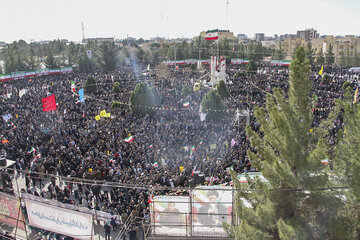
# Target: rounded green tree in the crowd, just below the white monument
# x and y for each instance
(212, 105)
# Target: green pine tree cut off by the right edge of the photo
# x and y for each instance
(347, 166)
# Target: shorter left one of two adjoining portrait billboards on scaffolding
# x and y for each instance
(170, 215)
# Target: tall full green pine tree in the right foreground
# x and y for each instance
(288, 152)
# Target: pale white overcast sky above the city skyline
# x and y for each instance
(61, 19)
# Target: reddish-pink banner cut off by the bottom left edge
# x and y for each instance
(9, 211)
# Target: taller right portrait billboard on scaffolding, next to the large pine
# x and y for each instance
(211, 206)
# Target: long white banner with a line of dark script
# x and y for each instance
(59, 220)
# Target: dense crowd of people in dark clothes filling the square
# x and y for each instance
(168, 146)
